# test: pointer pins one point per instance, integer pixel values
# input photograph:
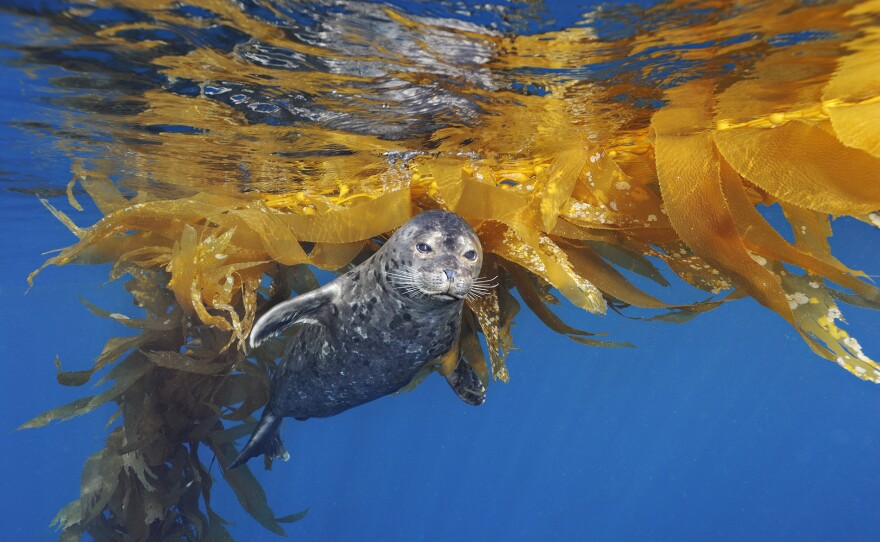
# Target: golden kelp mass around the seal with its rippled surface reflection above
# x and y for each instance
(230, 146)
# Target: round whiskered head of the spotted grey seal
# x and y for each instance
(435, 257)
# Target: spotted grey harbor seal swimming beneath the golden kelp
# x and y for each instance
(369, 332)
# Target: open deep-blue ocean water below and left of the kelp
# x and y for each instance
(723, 428)
